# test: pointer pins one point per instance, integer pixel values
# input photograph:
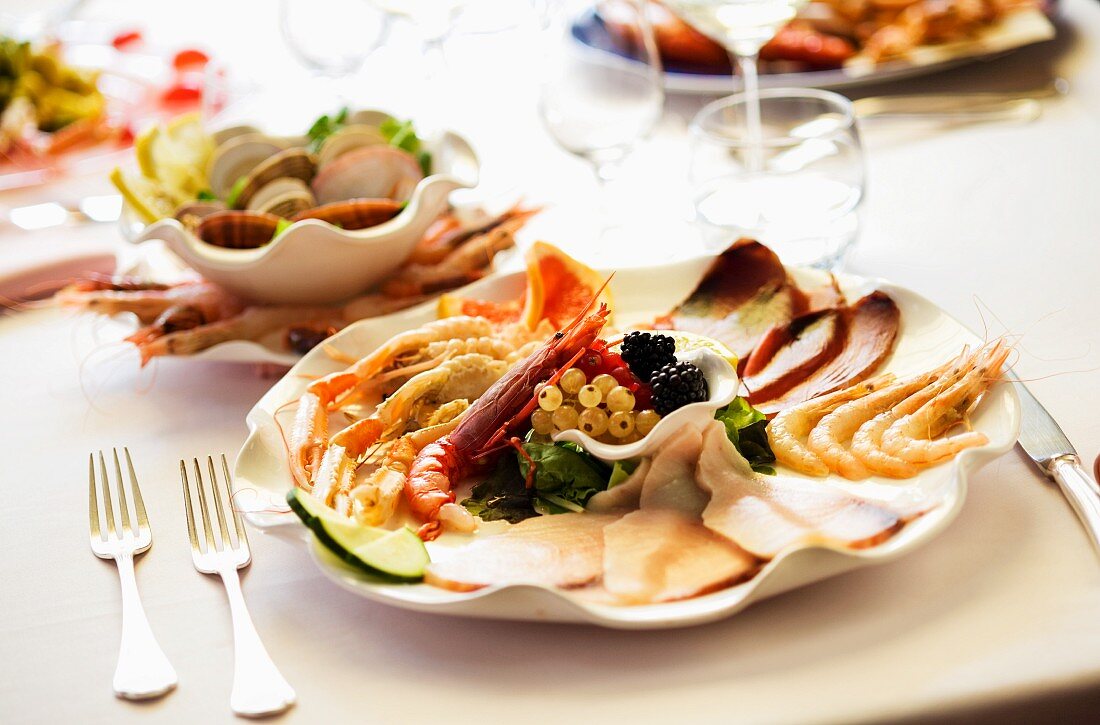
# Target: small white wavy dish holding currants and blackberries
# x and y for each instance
(722, 383)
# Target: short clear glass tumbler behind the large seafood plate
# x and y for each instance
(798, 188)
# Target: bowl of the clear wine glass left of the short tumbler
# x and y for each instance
(599, 106)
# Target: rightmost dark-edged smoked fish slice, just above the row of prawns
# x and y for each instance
(870, 331)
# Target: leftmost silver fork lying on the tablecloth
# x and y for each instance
(142, 672)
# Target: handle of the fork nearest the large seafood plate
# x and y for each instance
(259, 688)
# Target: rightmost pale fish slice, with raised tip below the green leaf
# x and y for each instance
(768, 514)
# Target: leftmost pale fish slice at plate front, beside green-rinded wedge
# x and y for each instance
(562, 551)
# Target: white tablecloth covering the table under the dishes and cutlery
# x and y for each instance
(997, 224)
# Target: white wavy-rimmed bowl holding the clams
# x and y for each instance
(313, 262)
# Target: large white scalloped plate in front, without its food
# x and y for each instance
(928, 337)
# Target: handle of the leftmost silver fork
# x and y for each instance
(144, 672)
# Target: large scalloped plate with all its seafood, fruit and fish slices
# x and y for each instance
(573, 445)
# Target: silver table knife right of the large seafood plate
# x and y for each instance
(1042, 440)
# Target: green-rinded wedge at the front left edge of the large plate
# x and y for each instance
(398, 555)
